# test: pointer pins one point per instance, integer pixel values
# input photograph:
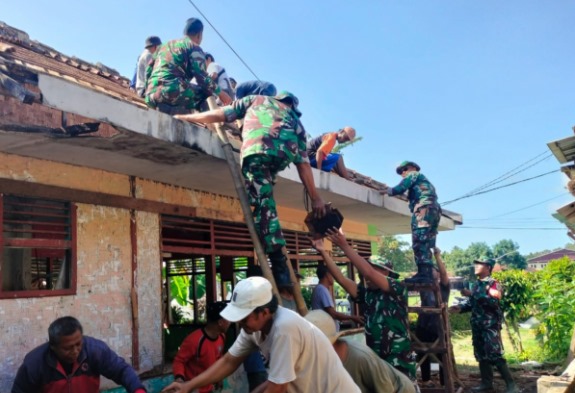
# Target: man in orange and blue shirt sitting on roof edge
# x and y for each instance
(320, 155)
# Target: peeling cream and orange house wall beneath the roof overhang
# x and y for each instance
(104, 262)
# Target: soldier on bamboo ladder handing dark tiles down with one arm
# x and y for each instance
(273, 138)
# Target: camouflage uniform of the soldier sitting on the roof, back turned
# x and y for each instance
(170, 72)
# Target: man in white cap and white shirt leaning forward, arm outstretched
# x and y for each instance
(301, 358)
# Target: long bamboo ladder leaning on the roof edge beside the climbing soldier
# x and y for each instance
(238, 180)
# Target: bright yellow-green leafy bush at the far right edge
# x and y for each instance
(555, 298)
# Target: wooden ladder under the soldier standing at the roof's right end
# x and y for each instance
(441, 346)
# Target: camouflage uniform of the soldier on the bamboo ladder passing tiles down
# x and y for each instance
(273, 137)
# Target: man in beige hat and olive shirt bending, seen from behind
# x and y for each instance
(371, 373)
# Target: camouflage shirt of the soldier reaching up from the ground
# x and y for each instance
(387, 326)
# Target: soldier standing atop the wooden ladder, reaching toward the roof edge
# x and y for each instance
(426, 213)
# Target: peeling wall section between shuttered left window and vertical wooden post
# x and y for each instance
(102, 302)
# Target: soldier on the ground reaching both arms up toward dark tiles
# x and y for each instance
(385, 299)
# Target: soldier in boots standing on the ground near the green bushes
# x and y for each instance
(486, 320)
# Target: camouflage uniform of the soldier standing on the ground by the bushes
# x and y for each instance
(486, 320)
